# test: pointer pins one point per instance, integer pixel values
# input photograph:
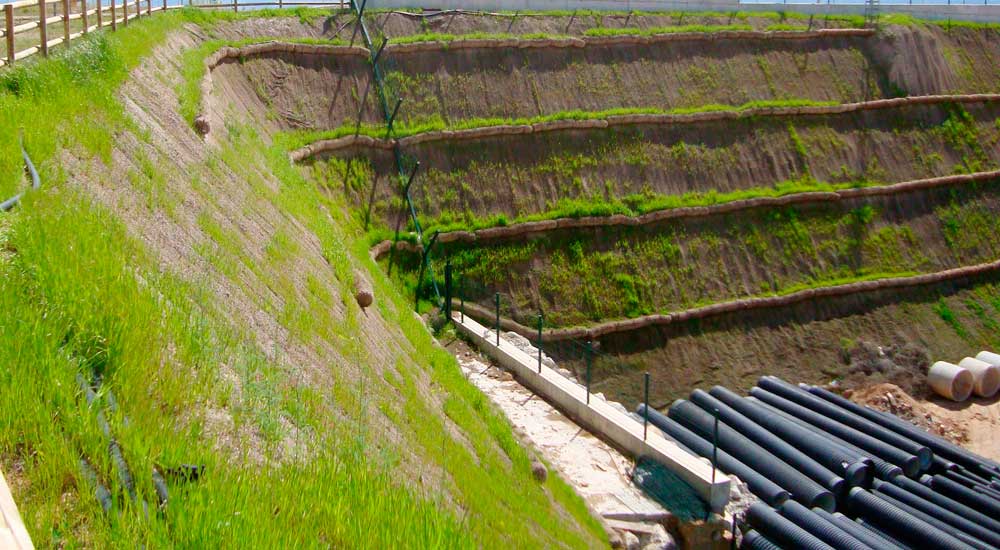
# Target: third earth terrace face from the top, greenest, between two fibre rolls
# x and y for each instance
(585, 276)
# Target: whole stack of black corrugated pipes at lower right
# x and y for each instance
(830, 473)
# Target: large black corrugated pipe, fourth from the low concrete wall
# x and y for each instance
(811, 443)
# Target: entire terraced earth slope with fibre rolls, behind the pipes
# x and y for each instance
(677, 190)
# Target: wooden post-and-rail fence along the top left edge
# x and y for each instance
(33, 26)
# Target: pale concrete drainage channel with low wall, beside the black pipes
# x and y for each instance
(588, 443)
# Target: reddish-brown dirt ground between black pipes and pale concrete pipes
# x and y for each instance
(972, 424)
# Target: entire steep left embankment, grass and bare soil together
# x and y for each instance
(211, 289)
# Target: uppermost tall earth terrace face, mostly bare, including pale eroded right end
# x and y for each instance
(462, 79)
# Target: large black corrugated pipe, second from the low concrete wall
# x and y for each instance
(798, 485)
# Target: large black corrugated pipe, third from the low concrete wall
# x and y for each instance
(780, 448)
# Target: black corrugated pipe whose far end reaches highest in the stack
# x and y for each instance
(798, 395)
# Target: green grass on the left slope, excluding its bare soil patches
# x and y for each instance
(77, 291)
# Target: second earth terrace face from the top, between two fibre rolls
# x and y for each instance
(525, 170)
